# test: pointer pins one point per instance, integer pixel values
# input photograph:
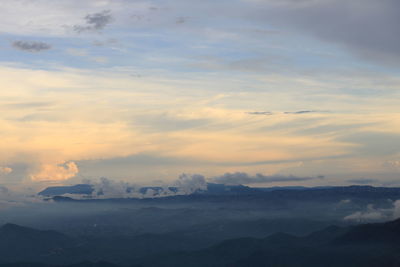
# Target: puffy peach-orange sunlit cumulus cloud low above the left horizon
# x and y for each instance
(55, 172)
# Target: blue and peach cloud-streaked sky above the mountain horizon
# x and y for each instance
(260, 92)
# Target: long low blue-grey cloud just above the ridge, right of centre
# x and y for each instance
(244, 178)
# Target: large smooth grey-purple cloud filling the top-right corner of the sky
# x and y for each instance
(368, 28)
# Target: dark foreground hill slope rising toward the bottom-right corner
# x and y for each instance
(372, 245)
